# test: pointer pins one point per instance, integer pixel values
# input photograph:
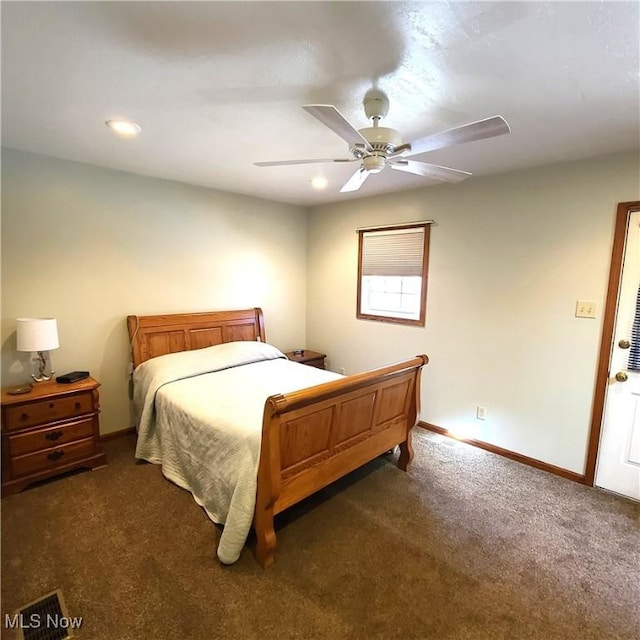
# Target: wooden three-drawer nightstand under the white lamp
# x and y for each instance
(52, 429)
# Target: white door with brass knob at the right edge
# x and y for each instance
(618, 465)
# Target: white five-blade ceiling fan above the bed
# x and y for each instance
(376, 147)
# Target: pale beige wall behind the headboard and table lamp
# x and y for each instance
(89, 246)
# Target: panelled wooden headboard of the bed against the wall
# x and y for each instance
(152, 336)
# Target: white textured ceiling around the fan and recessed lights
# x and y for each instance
(219, 85)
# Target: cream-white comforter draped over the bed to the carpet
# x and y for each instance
(199, 415)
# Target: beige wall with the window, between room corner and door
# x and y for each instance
(510, 256)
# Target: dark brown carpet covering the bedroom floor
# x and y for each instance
(468, 545)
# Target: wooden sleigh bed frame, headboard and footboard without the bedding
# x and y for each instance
(310, 437)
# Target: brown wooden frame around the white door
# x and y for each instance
(608, 329)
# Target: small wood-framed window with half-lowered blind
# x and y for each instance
(392, 273)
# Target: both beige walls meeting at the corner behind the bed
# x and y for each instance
(510, 255)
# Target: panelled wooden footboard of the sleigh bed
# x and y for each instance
(314, 436)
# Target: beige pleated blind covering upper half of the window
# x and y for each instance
(396, 252)
